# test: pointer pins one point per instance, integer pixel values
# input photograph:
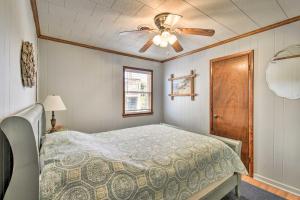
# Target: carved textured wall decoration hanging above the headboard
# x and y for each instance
(28, 67)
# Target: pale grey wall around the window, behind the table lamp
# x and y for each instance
(90, 84)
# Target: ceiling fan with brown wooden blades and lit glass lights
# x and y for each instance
(166, 32)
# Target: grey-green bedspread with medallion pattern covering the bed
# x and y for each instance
(146, 162)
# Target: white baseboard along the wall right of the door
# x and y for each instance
(277, 184)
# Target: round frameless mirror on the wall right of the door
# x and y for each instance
(283, 73)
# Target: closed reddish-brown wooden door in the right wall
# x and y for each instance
(231, 113)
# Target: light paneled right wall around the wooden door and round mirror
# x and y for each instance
(276, 120)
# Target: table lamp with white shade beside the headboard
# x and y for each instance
(53, 103)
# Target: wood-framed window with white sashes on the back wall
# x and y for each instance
(137, 91)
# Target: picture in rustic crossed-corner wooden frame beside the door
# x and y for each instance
(183, 85)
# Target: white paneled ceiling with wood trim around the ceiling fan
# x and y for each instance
(97, 23)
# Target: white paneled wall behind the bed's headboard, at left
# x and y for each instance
(16, 24)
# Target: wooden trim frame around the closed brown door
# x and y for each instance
(250, 54)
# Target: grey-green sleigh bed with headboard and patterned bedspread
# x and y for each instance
(147, 162)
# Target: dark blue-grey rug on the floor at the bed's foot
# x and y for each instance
(250, 192)
